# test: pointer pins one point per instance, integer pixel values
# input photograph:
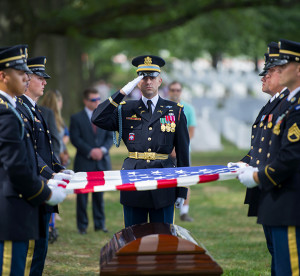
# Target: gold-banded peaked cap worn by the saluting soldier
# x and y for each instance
(148, 65)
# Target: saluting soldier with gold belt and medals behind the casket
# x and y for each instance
(150, 128)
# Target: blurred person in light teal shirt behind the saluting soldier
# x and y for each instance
(174, 93)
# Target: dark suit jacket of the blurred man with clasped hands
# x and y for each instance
(84, 139)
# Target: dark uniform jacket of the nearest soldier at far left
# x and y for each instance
(21, 190)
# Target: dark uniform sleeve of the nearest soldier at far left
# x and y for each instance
(13, 155)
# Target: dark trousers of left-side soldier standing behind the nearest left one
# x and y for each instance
(40, 250)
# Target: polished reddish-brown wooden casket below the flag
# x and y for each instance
(156, 249)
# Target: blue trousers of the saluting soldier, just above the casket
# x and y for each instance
(137, 215)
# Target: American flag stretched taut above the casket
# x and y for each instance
(147, 179)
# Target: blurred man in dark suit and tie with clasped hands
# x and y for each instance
(92, 144)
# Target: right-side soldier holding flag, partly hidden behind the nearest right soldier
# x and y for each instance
(262, 129)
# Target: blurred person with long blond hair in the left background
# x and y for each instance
(54, 101)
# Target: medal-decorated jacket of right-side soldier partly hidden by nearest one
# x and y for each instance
(260, 137)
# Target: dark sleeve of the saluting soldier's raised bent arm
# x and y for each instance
(105, 115)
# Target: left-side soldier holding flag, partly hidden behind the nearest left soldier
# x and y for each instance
(48, 164)
